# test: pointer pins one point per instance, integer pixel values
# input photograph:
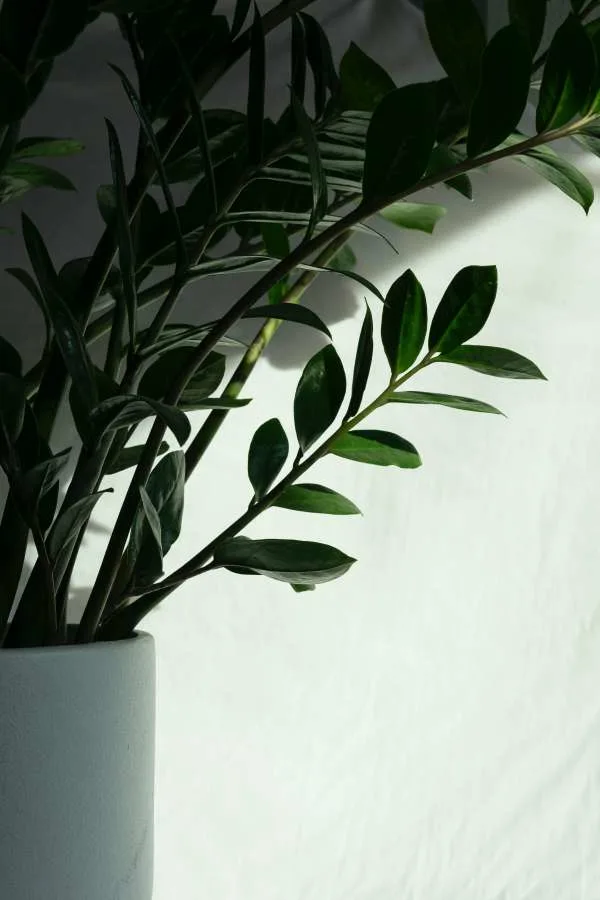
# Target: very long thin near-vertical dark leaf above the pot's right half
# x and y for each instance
(127, 263)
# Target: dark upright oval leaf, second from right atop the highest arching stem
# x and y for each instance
(502, 95)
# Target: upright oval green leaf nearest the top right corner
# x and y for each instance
(568, 74)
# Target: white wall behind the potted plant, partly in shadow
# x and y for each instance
(427, 727)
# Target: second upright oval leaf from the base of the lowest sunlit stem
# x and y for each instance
(319, 396)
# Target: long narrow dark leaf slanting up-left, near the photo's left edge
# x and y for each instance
(67, 331)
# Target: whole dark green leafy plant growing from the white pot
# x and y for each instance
(290, 193)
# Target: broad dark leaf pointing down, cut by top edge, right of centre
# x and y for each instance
(458, 38)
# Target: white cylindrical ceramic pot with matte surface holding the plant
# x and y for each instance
(77, 771)
